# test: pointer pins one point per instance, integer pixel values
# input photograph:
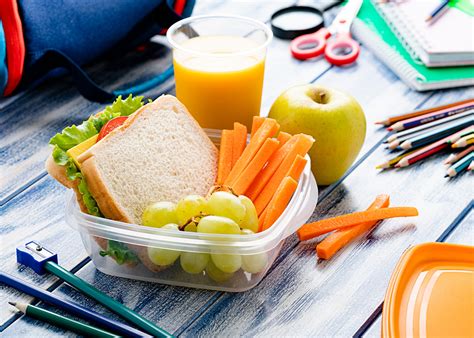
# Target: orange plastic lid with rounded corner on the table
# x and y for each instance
(431, 293)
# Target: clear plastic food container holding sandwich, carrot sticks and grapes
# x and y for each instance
(255, 252)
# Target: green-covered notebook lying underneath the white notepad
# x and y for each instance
(374, 33)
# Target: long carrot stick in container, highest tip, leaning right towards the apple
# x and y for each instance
(267, 130)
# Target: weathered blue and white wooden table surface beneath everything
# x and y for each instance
(300, 295)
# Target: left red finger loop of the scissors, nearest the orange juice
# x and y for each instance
(318, 39)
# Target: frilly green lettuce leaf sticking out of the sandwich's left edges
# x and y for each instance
(73, 135)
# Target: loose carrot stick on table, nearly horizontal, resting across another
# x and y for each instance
(314, 229)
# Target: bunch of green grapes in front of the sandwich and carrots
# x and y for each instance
(221, 213)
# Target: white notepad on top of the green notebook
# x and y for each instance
(447, 41)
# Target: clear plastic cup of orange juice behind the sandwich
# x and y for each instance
(219, 63)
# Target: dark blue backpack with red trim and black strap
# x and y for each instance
(37, 37)
